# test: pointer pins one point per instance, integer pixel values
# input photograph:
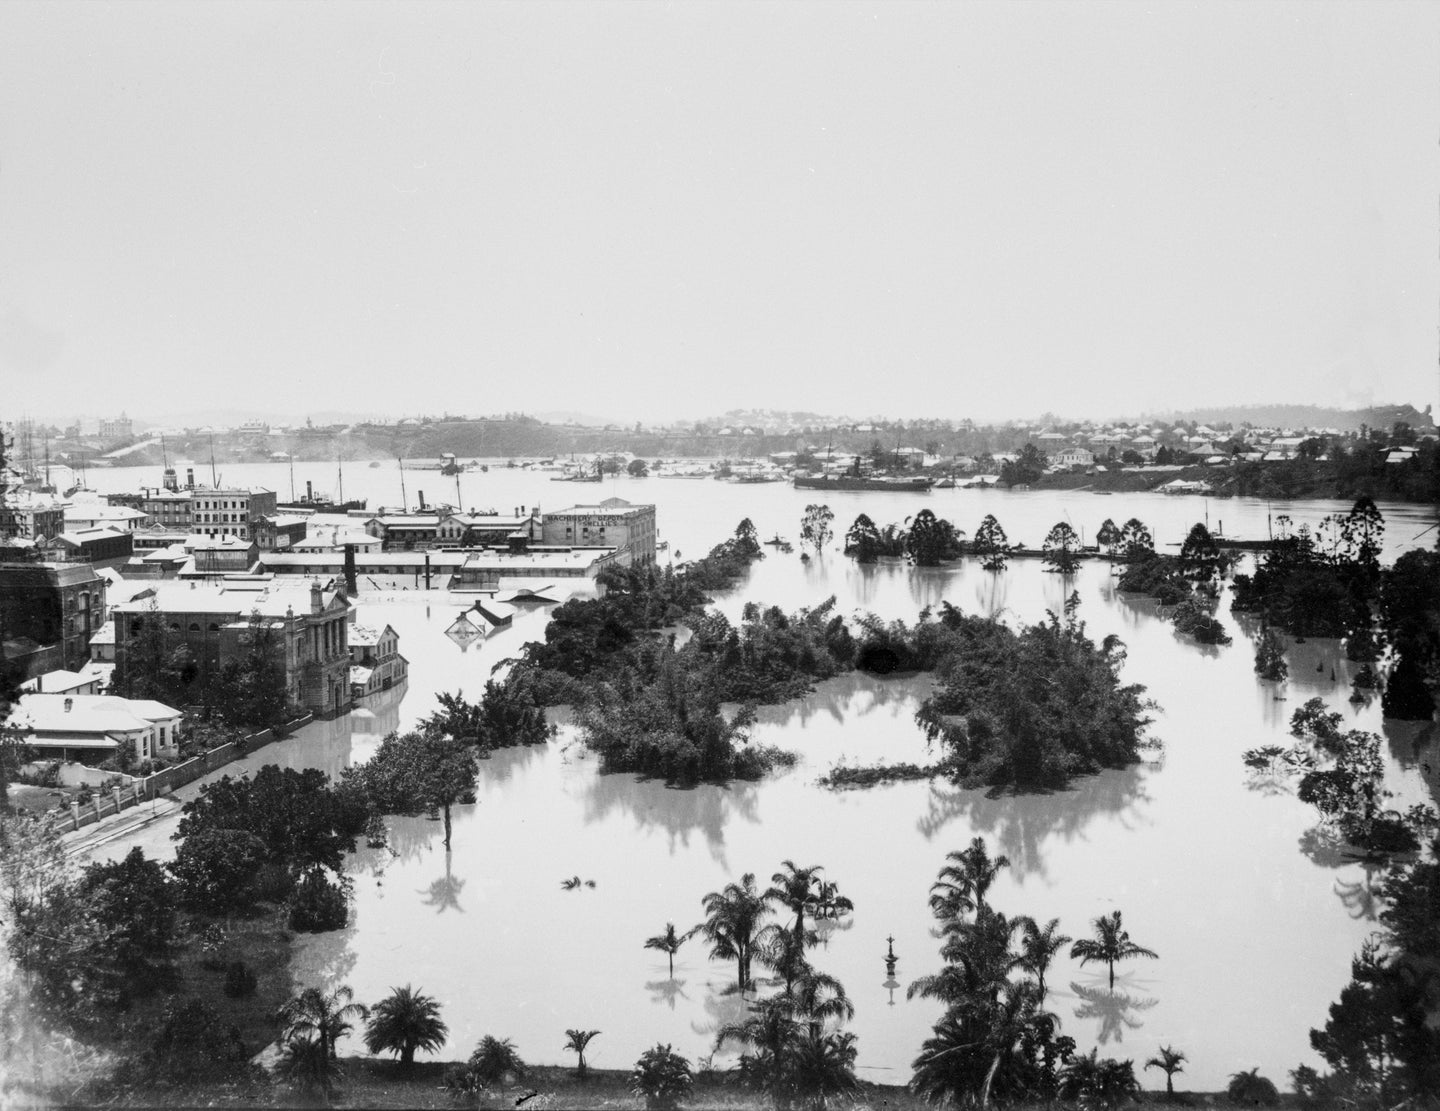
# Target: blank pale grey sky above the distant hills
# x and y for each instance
(666, 211)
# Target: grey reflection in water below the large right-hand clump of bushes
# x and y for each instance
(1025, 825)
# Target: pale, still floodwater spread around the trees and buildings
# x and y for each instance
(1254, 923)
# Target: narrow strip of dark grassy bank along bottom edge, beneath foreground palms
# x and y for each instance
(371, 1083)
